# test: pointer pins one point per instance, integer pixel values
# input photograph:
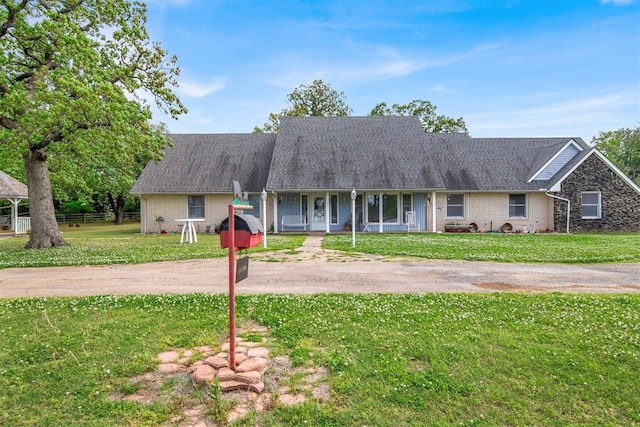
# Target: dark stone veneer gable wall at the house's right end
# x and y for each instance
(620, 202)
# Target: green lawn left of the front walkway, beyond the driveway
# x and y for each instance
(101, 244)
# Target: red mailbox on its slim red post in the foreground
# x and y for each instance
(234, 239)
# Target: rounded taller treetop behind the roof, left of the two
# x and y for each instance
(316, 99)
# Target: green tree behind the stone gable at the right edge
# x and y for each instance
(622, 147)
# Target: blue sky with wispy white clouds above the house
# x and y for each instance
(508, 68)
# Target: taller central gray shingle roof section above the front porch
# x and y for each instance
(362, 152)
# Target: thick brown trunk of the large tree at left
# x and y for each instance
(44, 227)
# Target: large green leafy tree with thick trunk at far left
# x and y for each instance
(75, 77)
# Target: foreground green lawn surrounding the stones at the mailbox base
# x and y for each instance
(394, 360)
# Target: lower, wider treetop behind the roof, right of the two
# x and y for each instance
(426, 112)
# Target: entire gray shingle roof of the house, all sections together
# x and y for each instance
(340, 153)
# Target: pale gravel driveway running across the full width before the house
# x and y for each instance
(313, 270)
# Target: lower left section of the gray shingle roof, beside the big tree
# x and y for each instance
(209, 163)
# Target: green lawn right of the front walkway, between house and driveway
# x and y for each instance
(535, 248)
